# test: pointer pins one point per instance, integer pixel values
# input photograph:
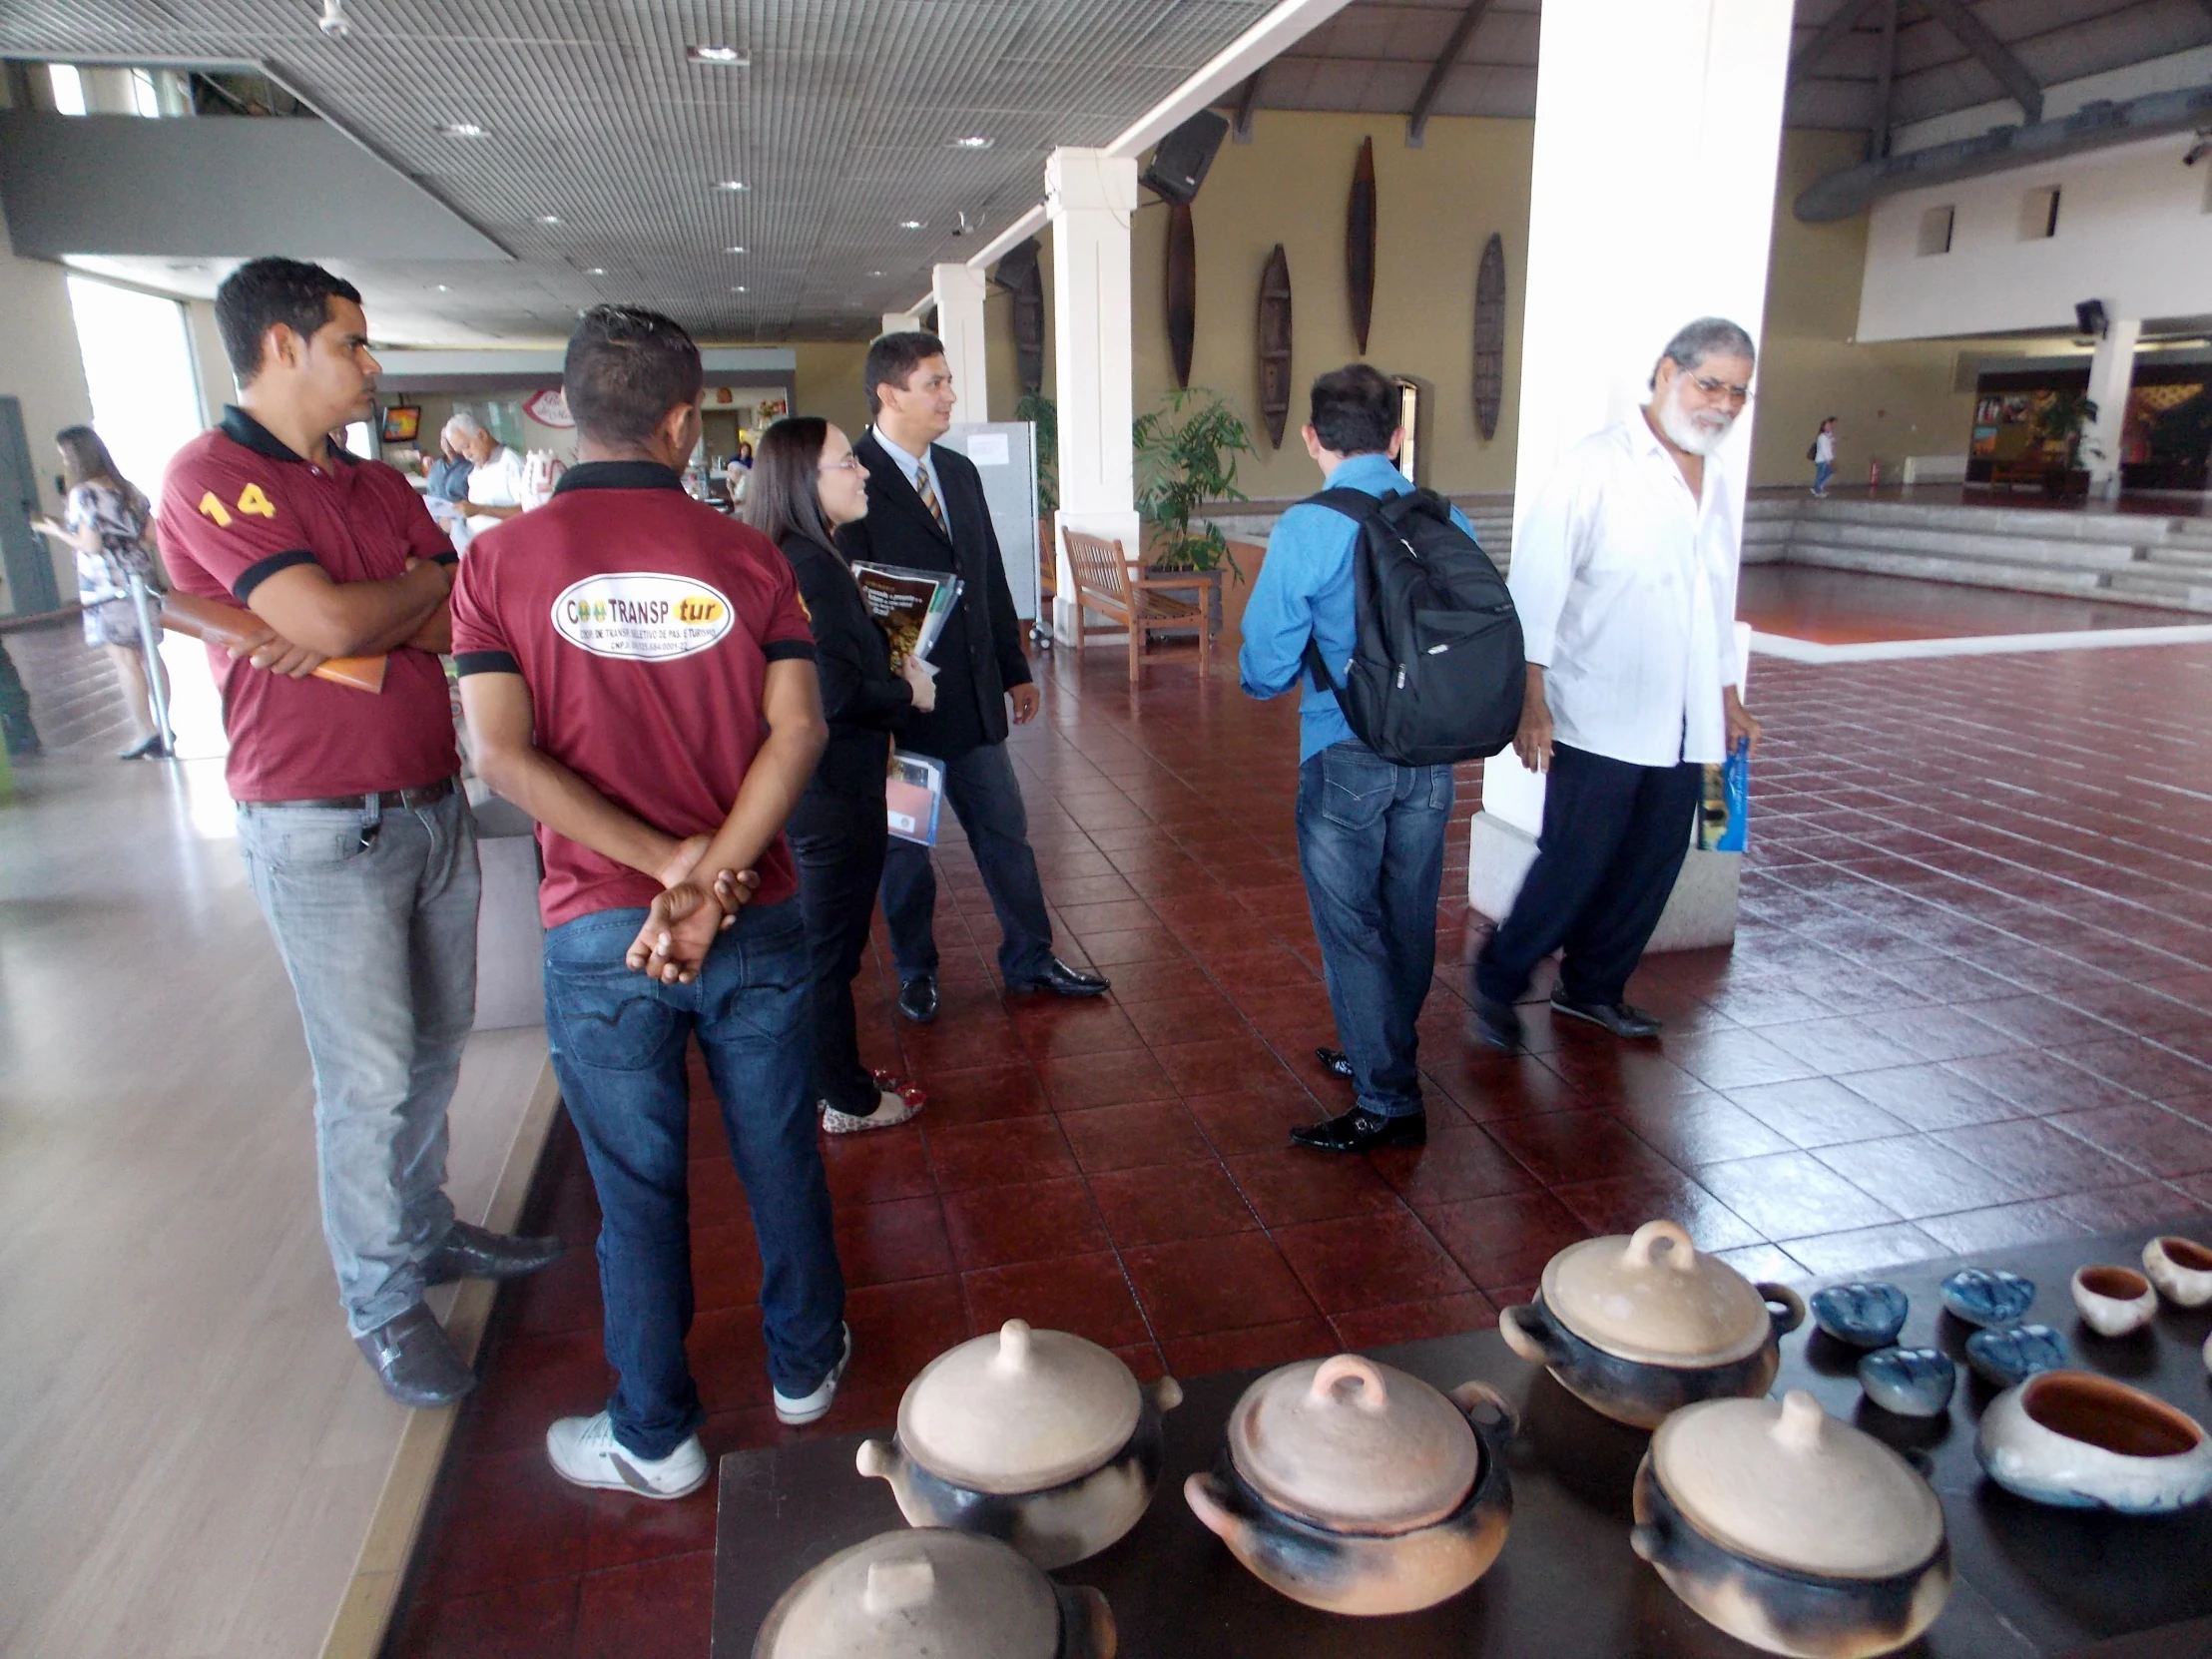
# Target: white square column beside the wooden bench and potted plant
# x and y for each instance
(1089, 198)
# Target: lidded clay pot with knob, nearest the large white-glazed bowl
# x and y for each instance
(1791, 1530)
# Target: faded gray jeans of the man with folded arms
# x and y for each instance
(375, 917)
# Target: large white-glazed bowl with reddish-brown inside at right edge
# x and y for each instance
(2083, 1441)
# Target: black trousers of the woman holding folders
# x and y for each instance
(837, 844)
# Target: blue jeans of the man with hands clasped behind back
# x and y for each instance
(618, 1047)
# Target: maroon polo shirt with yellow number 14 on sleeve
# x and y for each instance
(238, 505)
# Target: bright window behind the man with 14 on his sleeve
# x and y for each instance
(138, 364)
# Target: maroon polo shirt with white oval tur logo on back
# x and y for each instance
(643, 625)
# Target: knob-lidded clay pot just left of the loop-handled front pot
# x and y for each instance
(1041, 1439)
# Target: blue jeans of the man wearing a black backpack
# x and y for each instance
(1373, 853)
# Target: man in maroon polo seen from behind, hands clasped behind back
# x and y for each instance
(640, 678)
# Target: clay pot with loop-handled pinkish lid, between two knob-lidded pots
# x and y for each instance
(1355, 1488)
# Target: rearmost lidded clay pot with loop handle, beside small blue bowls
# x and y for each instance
(1645, 1326)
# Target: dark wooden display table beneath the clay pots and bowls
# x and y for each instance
(2032, 1583)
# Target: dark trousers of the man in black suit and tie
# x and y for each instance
(985, 797)
